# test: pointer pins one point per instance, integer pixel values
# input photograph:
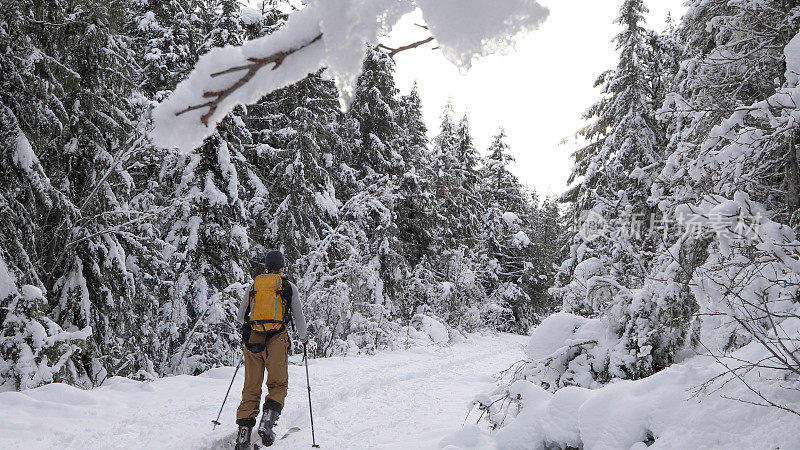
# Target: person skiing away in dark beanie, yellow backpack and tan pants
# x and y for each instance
(266, 308)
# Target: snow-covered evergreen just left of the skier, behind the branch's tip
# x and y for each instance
(207, 228)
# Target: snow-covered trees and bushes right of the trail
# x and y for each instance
(681, 224)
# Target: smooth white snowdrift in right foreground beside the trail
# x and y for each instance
(684, 406)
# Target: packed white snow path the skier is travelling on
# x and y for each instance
(403, 399)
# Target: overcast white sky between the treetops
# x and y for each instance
(537, 93)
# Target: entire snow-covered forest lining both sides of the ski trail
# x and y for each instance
(130, 228)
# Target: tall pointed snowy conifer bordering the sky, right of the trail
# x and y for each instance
(613, 176)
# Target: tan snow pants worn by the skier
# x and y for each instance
(275, 359)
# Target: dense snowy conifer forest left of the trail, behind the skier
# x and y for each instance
(120, 258)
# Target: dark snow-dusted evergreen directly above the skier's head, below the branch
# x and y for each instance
(297, 132)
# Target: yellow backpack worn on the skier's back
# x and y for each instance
(269, 304)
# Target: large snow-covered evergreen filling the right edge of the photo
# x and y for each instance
(725, 155)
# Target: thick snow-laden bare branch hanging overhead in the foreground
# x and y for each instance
(333, 34)
